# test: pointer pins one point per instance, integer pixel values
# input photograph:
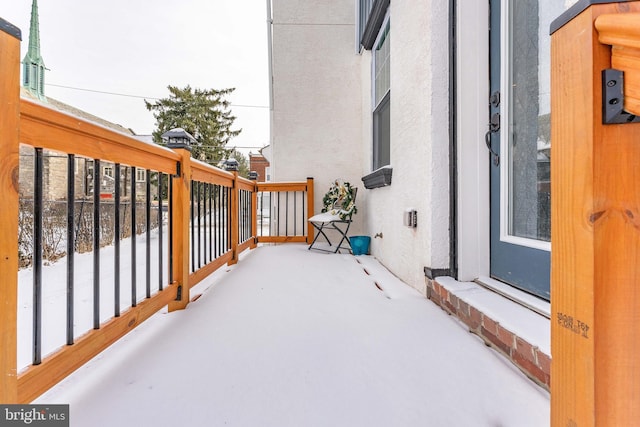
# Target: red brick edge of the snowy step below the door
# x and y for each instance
(528, 358)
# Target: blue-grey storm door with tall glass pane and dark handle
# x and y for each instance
(519, 142)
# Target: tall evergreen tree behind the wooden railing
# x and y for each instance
(204, 114)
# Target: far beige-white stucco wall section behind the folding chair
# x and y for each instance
(316, 118)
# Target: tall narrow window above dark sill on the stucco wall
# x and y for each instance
(381, 80)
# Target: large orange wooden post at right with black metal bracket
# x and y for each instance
(595, 258)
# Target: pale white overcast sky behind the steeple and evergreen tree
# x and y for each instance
(139, 47)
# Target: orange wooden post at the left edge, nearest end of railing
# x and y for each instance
(9, 163)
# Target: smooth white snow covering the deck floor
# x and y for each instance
(291, 337)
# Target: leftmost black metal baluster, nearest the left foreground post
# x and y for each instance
(38, 168)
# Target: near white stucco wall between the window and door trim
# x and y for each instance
(419, 145)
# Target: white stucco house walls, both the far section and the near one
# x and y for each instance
(321, 121)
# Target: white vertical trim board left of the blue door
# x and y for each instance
(472, 82)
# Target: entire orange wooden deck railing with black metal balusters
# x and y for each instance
(141, 225)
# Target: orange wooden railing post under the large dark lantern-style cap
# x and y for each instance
(181, 202)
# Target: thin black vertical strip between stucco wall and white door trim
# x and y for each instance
(453, 144)
